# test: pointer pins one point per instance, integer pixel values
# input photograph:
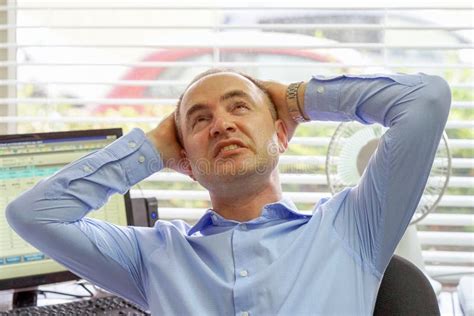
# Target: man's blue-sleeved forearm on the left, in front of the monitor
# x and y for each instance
(86, 183)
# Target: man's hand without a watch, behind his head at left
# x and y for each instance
(165, 139)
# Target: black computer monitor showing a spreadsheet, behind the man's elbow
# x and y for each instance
(24, 160)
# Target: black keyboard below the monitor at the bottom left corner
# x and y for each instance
(109, 305)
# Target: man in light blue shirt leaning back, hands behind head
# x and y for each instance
(253, 253)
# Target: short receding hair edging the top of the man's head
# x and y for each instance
(212, 71)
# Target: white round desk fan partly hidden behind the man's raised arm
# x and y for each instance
(348, 154)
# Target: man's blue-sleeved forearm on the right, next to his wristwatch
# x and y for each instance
(369, 98)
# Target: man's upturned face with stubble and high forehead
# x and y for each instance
(228, 131)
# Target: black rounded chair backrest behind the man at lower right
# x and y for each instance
(405, 290)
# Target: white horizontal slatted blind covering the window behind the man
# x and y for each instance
(99, 65)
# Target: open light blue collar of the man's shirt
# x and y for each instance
(284, 208)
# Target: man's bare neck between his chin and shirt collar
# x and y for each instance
(245, 202)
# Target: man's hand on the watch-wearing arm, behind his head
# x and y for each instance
(277, 92)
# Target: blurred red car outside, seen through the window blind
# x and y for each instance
(274, 63)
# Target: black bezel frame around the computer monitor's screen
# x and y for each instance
(25, 282)
